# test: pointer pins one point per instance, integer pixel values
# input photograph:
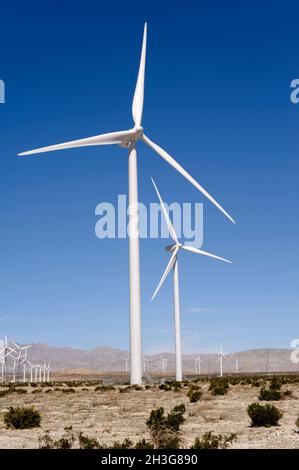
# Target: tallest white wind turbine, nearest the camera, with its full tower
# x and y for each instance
(128, 139)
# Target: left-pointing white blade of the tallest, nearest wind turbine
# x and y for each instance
(102, 139)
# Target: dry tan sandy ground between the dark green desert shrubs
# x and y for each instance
(110, 415)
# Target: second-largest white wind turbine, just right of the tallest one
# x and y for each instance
(173, 263)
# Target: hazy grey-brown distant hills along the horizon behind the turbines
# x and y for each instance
(105, 358)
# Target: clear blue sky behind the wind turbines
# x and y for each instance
(217, 98)
